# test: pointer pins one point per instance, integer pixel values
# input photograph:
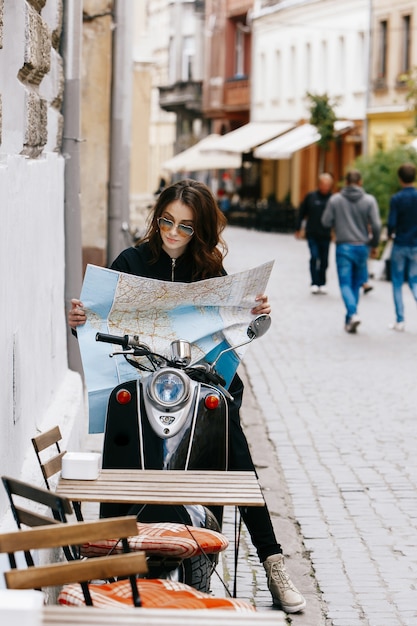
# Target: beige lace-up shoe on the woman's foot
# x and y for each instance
(284, 593)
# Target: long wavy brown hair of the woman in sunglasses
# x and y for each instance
(206, 249)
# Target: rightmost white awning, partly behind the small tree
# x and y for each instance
(296, 139)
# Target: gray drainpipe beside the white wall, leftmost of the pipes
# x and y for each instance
(71, 53)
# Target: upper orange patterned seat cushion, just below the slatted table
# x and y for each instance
(164, 539)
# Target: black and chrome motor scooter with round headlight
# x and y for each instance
(174, 417)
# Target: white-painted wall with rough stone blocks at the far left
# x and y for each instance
(38, 390)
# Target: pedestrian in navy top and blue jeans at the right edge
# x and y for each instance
(402, 229)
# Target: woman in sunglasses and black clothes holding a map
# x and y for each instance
(183, 243)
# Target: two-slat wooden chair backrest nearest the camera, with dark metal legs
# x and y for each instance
(61, 573)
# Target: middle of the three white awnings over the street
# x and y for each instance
(247, 137)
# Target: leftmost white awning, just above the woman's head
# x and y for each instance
(194, 160)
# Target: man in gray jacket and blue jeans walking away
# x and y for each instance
(354, 216)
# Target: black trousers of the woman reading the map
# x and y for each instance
(257, 519)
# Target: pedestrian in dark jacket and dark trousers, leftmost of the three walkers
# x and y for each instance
(318, 236)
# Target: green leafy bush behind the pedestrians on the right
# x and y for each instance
(379, 173)
